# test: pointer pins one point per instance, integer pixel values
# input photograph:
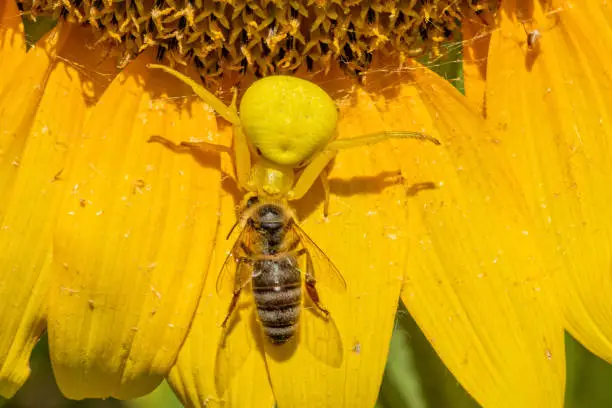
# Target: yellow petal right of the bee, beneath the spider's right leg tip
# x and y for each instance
(477, 285)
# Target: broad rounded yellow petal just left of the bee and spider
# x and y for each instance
(133, 240)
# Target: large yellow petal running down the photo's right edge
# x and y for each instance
(551, 107)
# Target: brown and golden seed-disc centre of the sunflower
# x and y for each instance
(266, 36)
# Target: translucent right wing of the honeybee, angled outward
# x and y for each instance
(326, 272)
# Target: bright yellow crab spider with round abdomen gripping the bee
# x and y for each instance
(289, 124)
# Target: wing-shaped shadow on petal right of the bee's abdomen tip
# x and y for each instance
(320, 335)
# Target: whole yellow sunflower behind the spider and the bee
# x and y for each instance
(496, 242)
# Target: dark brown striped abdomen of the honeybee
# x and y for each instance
(278, 296)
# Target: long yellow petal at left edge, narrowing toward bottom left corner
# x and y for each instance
(38, 139)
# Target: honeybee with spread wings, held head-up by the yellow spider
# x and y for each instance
(266, 254)
